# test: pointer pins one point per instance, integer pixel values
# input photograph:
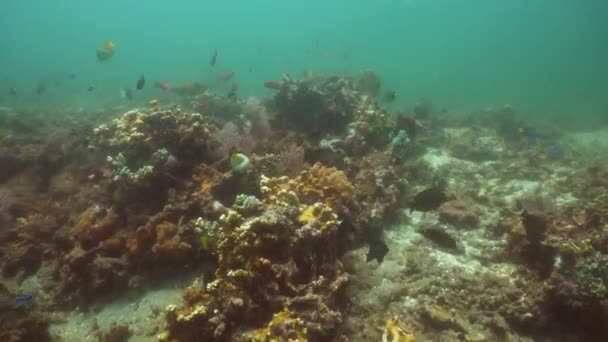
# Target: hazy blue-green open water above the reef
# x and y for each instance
(543, 57)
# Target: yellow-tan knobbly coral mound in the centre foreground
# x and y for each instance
(278, 262)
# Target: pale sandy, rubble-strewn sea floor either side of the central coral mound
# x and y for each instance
(459, 272)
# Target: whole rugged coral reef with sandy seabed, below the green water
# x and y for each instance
(314, 215)
